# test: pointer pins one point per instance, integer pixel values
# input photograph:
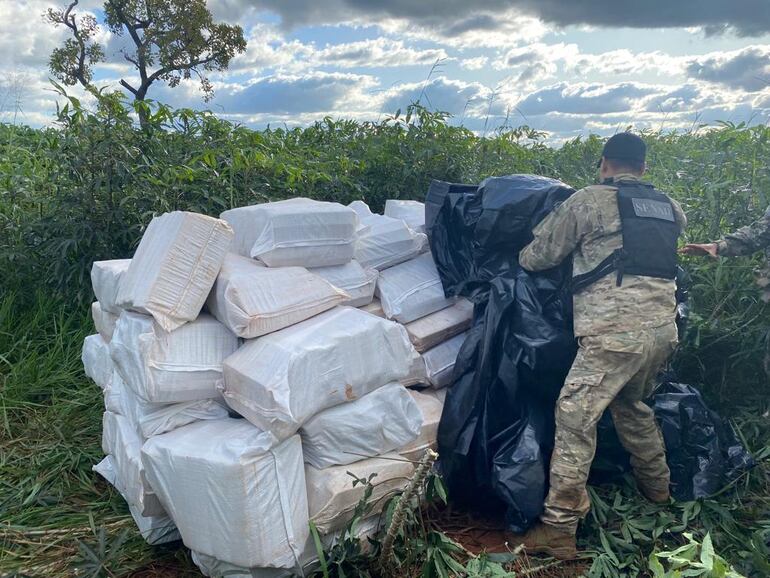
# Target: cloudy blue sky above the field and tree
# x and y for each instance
(568, 67)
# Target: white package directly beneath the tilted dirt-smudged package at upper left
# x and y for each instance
(169, 367)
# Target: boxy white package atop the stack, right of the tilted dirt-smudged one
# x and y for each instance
(297, 232)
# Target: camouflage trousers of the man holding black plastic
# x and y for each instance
(616, 372)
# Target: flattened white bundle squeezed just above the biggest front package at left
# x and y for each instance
(150, 419)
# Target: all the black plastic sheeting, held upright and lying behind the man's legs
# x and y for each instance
(496, 432)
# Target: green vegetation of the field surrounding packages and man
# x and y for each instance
(84, 189)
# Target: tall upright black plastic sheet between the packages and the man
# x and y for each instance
(496, 432)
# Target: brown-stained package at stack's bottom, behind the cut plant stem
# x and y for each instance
(332, 498)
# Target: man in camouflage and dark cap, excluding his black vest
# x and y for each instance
(625, 334)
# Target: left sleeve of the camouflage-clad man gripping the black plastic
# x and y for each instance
(558, 234)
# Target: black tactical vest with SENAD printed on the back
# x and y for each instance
(650, 234)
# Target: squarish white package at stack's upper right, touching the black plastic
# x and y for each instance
(411, 290)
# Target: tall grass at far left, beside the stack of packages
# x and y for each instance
(51, 503)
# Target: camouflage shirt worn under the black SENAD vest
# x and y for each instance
(587, 225)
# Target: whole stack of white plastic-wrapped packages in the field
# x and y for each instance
(246, 370)
